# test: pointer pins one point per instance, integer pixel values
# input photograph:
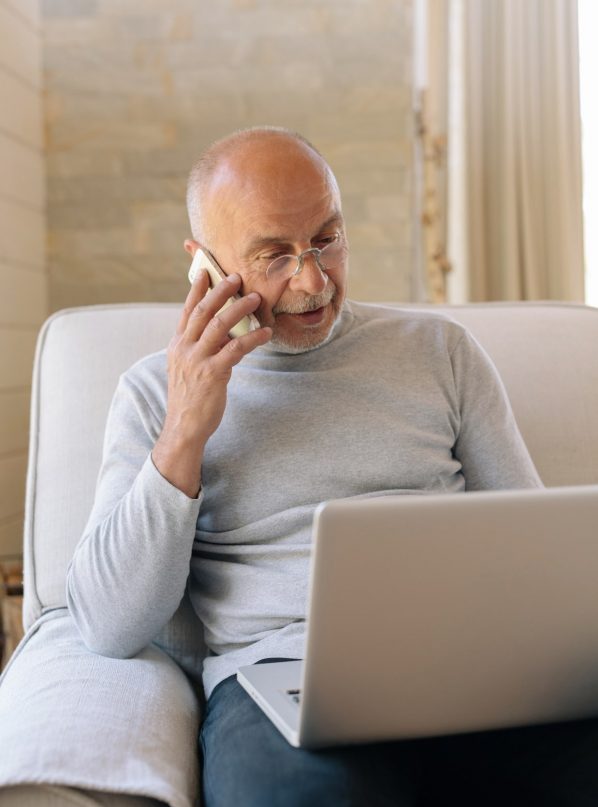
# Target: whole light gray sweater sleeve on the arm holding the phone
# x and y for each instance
(130, 568)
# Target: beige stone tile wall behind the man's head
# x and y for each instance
(135, 90)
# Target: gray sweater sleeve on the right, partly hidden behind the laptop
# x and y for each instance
(489, 444)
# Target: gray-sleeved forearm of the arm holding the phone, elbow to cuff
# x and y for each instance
(129, 572)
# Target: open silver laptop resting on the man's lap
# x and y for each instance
(438, 614)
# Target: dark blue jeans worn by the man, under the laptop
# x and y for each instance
(248, 763)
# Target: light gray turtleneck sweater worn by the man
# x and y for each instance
(397, 402)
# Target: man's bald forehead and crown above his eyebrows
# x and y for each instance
(285, 192)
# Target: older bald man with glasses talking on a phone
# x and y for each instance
(218, 451)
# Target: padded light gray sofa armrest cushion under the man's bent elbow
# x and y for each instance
(74, 718)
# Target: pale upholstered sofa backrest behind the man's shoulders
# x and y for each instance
(547, 355)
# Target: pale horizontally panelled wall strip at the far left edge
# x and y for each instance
(23, 288)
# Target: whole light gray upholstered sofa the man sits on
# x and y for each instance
(70, 717)
